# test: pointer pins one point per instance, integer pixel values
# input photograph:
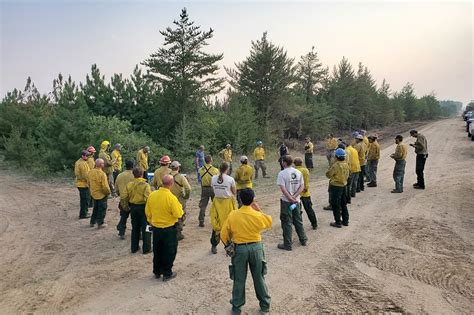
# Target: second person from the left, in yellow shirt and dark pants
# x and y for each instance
(100, 190)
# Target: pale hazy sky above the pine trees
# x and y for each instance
(427, 43)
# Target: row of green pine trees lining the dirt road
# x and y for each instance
(177, 100)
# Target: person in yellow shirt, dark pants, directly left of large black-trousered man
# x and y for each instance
(135, 197)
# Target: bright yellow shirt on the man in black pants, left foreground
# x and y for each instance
(163, 209)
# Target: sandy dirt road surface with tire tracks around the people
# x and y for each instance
(410, 252)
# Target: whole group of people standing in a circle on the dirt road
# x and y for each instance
(157, 206)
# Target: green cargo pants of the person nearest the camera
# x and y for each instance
(252, 256)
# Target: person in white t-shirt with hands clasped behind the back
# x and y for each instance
(291, 185)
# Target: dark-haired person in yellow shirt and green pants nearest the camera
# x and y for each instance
(243, 228)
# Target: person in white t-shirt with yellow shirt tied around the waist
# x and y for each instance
(222, 204)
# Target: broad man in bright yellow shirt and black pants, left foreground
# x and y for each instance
(163, 211)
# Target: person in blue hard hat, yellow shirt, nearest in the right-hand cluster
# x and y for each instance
(338, 175)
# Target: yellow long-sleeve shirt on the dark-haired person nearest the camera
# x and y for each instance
(245, 225)
